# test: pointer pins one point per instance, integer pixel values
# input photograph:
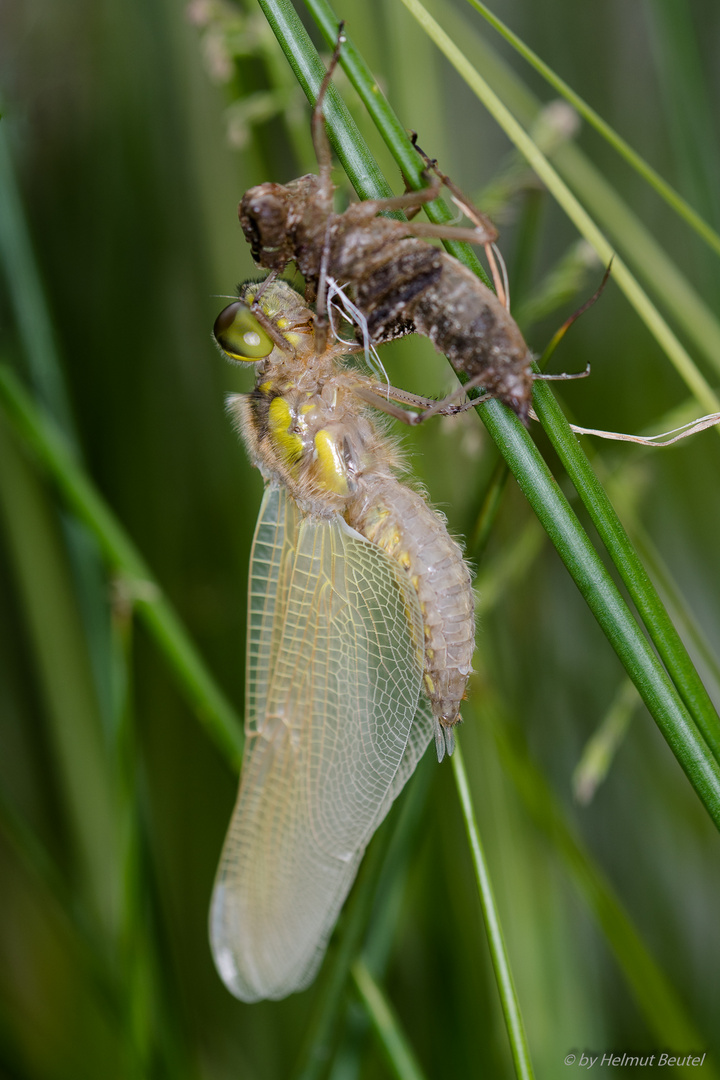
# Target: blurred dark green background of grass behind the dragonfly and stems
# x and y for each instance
(130, 131)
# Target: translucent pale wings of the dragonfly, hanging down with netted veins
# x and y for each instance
(335, 674)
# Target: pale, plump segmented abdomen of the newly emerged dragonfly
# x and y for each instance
(400, 521)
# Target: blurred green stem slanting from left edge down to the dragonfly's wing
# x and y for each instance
(55, 454)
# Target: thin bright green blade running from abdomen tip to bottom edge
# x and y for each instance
(499, 953)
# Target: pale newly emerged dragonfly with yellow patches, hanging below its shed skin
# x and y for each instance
(361, 636)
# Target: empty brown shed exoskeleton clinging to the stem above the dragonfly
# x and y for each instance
(398, 282)
